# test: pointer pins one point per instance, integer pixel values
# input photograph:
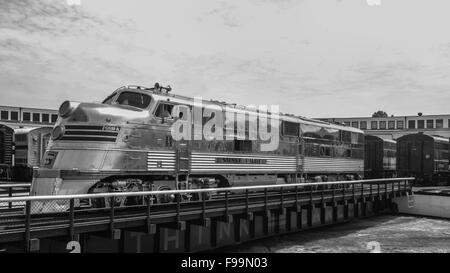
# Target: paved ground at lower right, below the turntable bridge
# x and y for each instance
(385, 234)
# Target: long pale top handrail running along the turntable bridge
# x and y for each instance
(145, 193)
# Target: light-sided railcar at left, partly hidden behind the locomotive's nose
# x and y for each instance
(30, 146)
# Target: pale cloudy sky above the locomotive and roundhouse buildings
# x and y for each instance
(313, 58)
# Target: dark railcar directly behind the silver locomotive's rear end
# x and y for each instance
(380, 156)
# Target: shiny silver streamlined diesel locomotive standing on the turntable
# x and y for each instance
(125, 144)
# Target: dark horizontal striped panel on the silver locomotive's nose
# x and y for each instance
(89, 133)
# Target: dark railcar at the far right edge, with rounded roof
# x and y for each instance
(425, 157)
